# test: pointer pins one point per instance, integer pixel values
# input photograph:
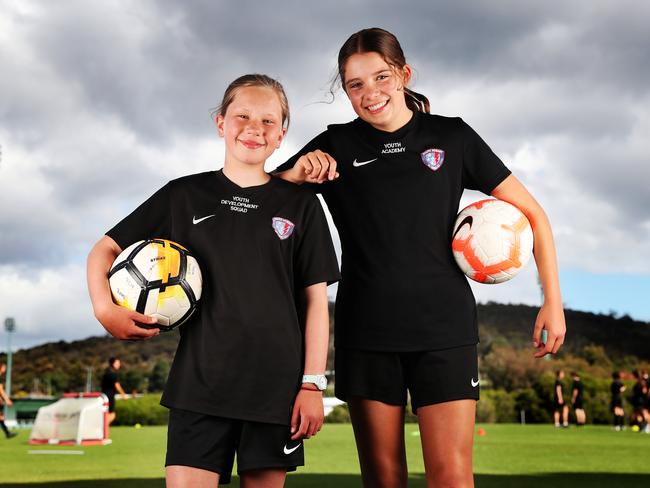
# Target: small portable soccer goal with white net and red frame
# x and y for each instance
(77, 418)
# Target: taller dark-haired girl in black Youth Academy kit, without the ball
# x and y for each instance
(405, 314)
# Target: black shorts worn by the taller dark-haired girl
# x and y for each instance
(429, 376)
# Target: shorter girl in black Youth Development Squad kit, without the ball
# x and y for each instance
(236, 383)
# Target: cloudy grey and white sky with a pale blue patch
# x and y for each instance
(103, 102)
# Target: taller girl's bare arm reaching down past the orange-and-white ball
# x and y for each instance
(551, 314)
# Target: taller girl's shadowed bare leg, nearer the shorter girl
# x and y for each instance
(379, 433)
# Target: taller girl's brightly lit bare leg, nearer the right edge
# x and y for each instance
(447, 434)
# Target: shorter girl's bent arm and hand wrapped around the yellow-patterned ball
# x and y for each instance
(118, 321)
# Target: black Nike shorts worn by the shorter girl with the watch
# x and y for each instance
(207, 442)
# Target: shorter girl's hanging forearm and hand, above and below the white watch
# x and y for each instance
(307, 416)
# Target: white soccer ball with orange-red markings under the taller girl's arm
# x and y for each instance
(492, 241)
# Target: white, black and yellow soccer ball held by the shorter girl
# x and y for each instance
(157, 277)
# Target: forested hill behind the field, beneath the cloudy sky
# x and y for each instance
(63, 366)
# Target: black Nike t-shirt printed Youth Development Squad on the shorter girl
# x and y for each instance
(241, 354)
